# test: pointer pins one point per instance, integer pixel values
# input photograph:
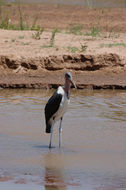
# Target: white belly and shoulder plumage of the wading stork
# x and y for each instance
(63, 105)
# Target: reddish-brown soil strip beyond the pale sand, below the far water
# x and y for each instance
(61, 16)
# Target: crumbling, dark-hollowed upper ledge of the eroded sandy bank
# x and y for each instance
(77, 62)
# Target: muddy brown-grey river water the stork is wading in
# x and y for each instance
(93, 153)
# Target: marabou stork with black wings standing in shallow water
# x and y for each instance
(57, 106)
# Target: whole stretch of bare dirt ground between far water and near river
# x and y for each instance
(96, 58)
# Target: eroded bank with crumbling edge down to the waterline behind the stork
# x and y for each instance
(106, 71)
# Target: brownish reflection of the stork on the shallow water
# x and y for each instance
(54, 167)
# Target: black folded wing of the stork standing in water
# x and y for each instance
(51, 108)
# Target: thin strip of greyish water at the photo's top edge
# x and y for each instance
(87, 3)
